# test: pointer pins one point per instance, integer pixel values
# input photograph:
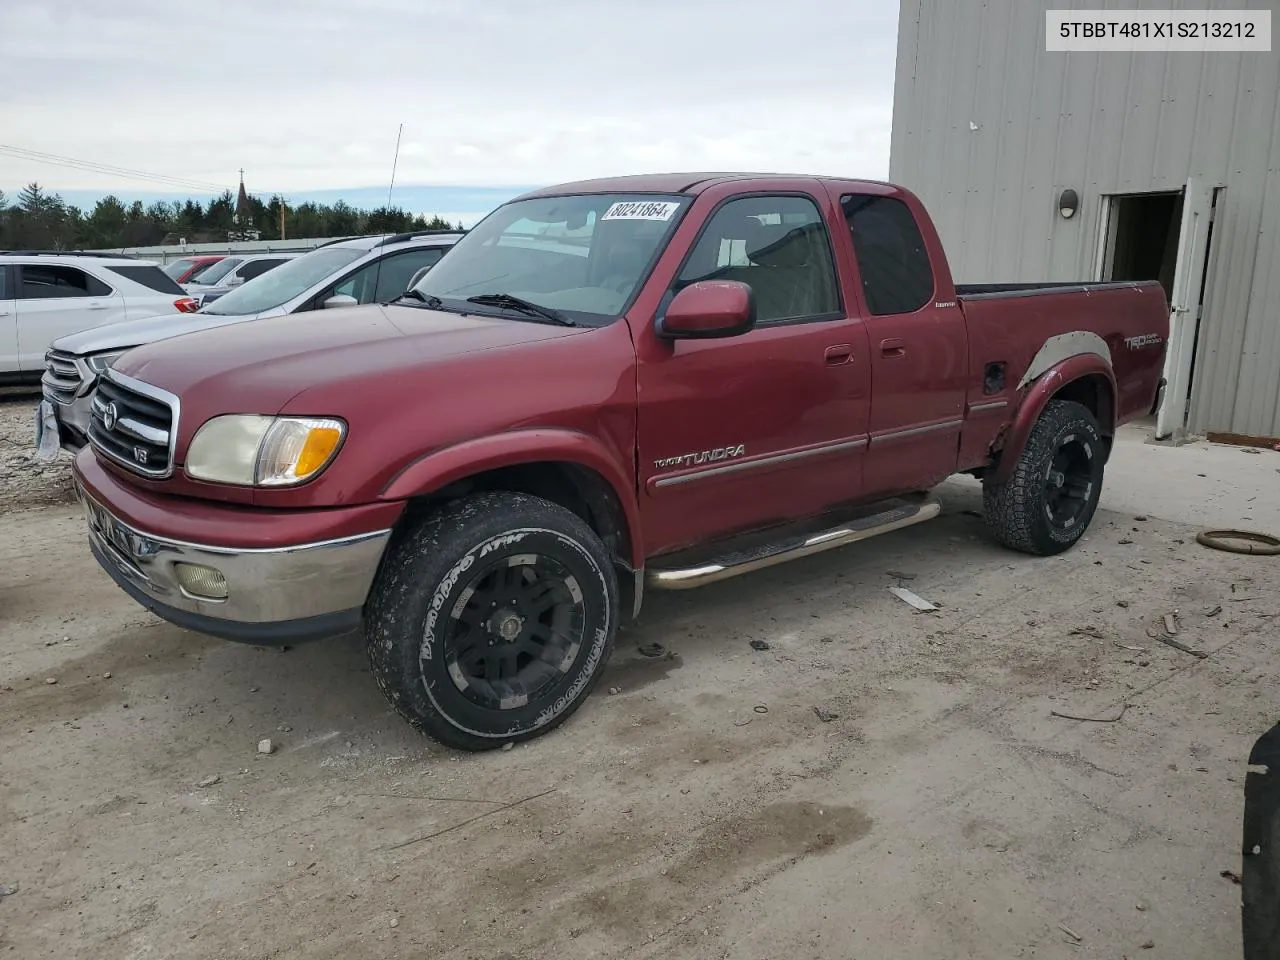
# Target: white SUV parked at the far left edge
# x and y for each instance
(48, 295)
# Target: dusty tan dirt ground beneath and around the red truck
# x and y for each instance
(935, 810)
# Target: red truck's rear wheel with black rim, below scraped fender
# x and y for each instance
(1020, 511)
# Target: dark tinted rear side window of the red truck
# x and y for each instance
(892, 257)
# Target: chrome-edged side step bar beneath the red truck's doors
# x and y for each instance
(733, 565)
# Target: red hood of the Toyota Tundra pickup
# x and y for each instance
(258, 368)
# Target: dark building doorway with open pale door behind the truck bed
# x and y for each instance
(1165, 236)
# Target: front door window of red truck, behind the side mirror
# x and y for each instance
(778, 246)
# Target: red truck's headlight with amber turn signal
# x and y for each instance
(260, 451)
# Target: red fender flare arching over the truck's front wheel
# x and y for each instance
(449, 465)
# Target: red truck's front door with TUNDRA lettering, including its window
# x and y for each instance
(770, 426)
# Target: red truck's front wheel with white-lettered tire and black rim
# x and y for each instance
(426, 616)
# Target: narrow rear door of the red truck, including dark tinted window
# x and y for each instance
(918, 349)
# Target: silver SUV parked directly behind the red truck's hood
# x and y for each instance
(342, 273)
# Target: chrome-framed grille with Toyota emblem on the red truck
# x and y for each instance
(134, 424)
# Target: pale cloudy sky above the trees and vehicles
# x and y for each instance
(495, 97)
